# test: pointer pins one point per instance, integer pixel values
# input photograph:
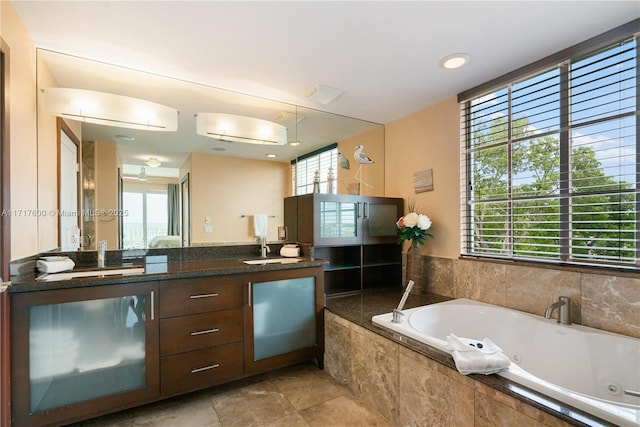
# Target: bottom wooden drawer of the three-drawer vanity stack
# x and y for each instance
(201, 368)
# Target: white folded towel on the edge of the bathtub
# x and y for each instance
(477, 357)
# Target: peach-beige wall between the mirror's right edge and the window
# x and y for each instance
(428, 139)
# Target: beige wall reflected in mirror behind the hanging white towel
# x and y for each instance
(225, 188)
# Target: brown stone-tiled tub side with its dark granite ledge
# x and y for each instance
(410, 383)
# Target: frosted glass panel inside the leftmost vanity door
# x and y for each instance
(86, 349)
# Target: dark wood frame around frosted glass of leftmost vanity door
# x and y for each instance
(20, 378)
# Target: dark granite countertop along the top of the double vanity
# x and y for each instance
(158, 268)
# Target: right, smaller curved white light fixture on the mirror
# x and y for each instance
(234, 128)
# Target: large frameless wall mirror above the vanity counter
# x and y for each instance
(214, 186)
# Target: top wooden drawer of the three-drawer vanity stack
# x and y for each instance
(191, 296)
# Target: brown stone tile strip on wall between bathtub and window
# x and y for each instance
(606, 300)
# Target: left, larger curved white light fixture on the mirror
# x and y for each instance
(109, 109)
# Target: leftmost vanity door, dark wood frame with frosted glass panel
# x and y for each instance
(82, 352)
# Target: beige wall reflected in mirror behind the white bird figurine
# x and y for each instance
(372, 174)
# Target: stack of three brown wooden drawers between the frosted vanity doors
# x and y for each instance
(201, 332)
